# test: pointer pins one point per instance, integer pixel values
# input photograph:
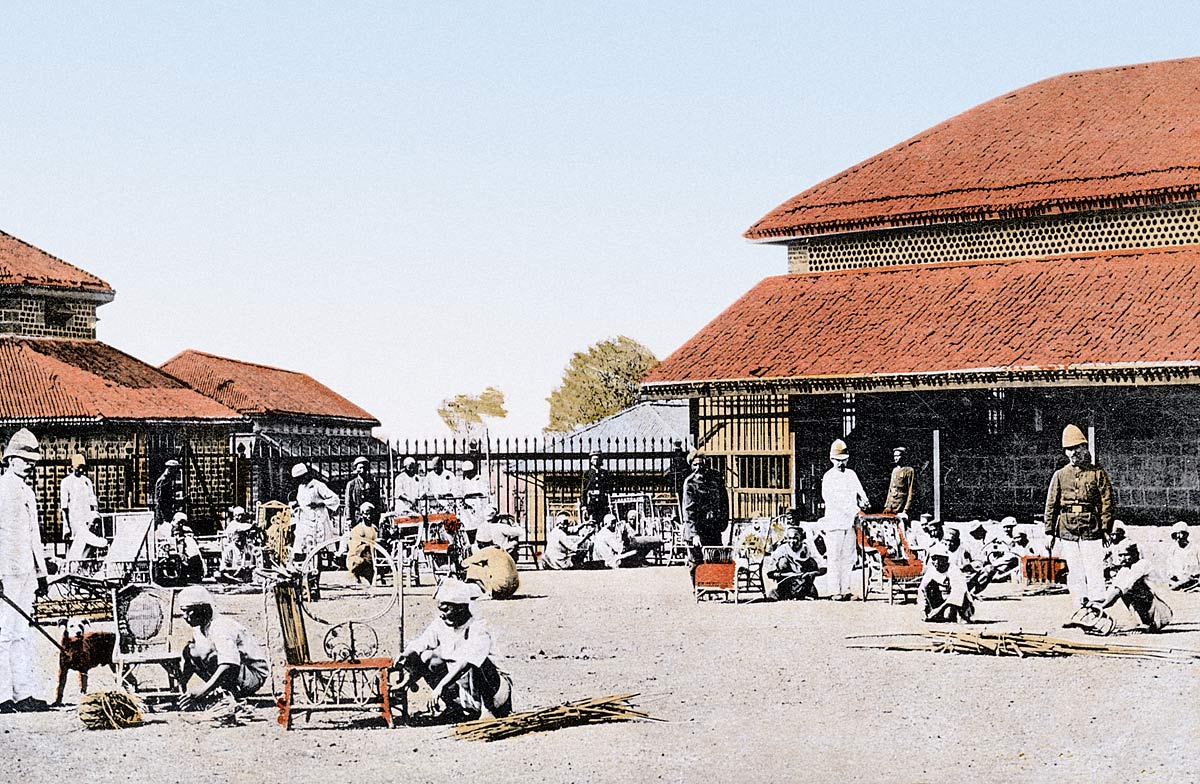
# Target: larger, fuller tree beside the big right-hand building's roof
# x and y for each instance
(599, 382)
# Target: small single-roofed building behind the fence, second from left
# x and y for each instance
(289, 417)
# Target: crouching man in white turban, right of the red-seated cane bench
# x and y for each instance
(454, 656)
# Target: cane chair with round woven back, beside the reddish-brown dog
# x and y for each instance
(145, 617)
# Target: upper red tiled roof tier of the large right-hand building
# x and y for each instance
(1095, 140)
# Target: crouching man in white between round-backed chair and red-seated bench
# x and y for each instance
(231, 663)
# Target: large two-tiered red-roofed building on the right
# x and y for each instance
(967, 294)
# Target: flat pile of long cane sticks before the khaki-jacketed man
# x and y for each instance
(1021, 644)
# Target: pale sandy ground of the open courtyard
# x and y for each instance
(753, 692)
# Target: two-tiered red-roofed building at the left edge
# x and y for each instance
(80, 396)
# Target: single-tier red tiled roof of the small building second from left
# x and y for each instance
(261, 390)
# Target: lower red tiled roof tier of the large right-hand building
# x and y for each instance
(1101, 310)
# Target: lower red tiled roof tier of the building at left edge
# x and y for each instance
(61, 379)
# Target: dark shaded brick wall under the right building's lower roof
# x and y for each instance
(1148, 440)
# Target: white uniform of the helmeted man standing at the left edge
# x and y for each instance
(22, 561)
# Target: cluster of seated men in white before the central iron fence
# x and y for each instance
(614, 544)
